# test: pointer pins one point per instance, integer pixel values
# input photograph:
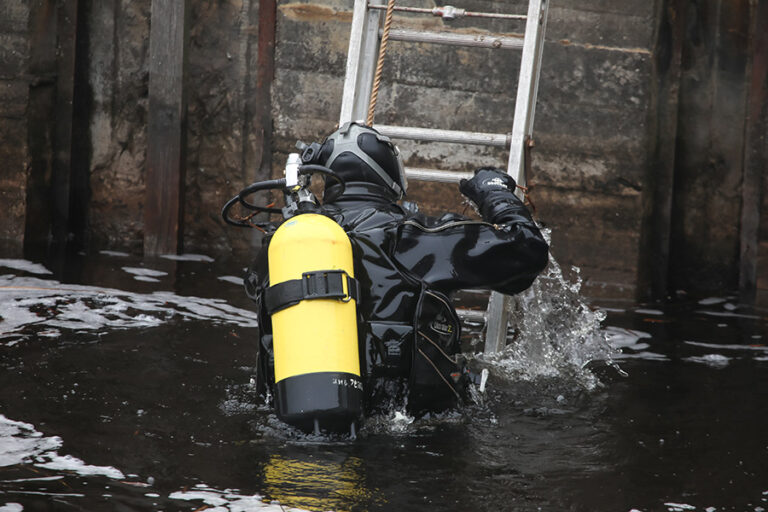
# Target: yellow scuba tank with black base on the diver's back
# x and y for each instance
(312, 301)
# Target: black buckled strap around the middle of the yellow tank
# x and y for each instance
(320, 284)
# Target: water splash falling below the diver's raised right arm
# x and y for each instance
(556, 333)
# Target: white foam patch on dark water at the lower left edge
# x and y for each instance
(21, 443)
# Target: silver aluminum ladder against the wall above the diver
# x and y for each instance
(364, 44)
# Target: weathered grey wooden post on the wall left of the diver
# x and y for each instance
(166, 133)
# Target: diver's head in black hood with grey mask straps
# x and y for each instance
(358, 153)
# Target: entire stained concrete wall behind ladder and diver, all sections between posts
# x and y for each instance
(596, 124)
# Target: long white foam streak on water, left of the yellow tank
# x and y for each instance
(29, 301)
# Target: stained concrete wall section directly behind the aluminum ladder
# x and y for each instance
(590, 127)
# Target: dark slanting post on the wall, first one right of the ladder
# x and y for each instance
(657, 200)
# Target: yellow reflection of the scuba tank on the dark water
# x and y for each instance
(326, 482)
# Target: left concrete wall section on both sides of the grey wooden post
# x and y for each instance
(221, 157)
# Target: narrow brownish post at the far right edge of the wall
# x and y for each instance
(755, 152)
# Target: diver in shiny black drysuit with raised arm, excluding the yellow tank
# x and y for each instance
(407, 266)
